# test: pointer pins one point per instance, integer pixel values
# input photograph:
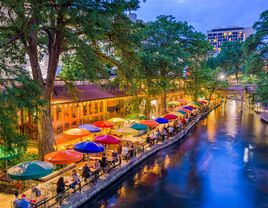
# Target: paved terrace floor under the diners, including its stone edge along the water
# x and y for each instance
(86, 190)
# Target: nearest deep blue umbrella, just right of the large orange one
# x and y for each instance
(88, 147)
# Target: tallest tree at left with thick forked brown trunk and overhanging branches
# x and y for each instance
(59, 28)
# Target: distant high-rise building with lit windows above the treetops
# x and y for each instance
(218, 36)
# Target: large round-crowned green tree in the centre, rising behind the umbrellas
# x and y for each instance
(167, 48)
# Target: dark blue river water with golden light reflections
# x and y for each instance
(222, 163)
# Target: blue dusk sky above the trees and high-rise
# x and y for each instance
(205, 14)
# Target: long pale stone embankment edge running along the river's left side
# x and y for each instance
(79, 199)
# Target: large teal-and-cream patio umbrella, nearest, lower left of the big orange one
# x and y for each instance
(30, 170)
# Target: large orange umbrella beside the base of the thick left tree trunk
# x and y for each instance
(63, 157)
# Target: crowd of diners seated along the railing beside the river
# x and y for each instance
(123, 152)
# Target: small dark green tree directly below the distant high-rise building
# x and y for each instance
(231, 58)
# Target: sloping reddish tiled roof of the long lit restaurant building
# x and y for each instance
(87, 92)
